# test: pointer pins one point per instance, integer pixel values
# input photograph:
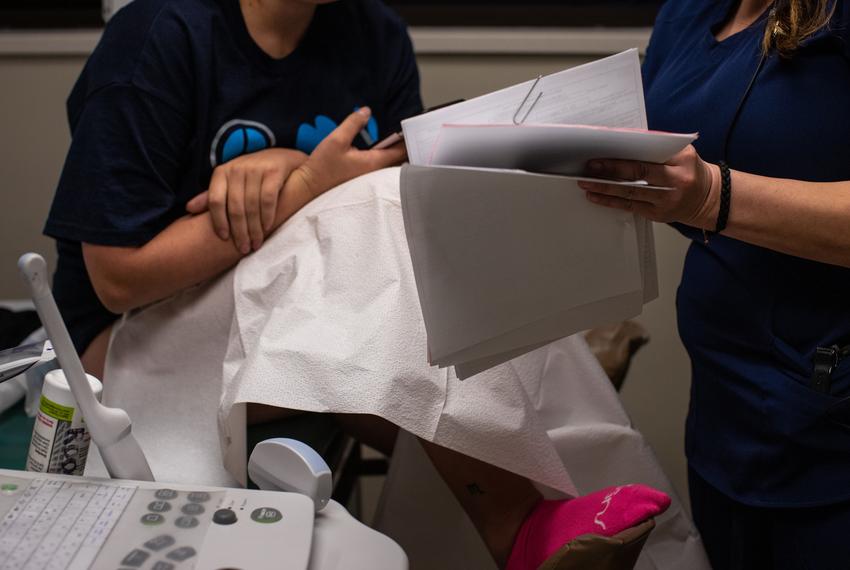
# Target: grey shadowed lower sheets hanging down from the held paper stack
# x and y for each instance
(528, 267)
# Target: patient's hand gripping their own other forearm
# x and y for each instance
(243, 195)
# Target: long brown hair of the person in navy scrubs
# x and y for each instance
(793, 21)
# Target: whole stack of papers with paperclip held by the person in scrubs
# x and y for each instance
(507, 252)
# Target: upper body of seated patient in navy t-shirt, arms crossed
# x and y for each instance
(184, 96)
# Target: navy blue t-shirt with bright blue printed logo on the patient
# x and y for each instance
(177, 87)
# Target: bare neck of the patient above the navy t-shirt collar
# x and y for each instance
(277, 26)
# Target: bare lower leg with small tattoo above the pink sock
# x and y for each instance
(496, 501)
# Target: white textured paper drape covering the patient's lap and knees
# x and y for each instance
(327, 319)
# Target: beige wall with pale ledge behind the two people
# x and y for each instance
(36, 79)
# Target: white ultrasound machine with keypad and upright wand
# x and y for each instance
(52, 521)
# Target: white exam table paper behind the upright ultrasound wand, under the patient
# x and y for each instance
(164, 367)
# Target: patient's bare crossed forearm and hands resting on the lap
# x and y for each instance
(192, 249)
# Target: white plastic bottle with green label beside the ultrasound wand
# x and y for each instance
(60, 440)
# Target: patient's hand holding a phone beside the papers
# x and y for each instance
(335, 161)
